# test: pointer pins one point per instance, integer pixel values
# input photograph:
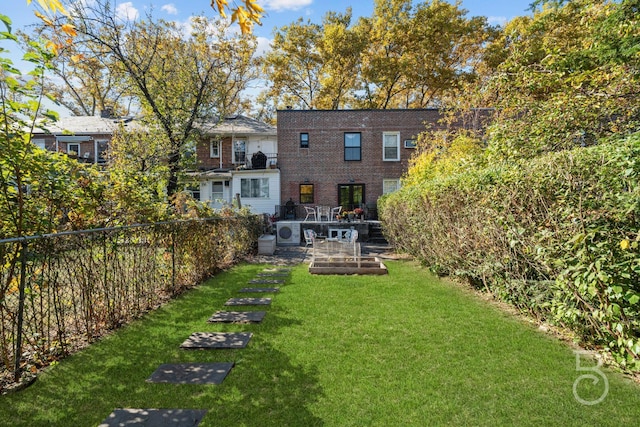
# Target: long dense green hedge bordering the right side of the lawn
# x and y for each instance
(556, 236)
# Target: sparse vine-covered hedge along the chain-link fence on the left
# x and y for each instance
(62, 291)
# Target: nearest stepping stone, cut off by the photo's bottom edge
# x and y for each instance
(154, 418)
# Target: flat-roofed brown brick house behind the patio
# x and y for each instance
(347, 158)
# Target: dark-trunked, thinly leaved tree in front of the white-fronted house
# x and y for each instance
(178, 79)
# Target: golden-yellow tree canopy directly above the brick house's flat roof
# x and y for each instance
(403, 56)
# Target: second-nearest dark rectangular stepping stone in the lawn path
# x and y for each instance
(191, 373)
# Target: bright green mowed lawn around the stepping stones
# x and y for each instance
(396, 350)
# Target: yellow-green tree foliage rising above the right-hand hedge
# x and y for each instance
(568, 78)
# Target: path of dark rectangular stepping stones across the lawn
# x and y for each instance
(202, 373)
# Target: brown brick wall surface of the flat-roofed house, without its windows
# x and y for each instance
(323, 164)
